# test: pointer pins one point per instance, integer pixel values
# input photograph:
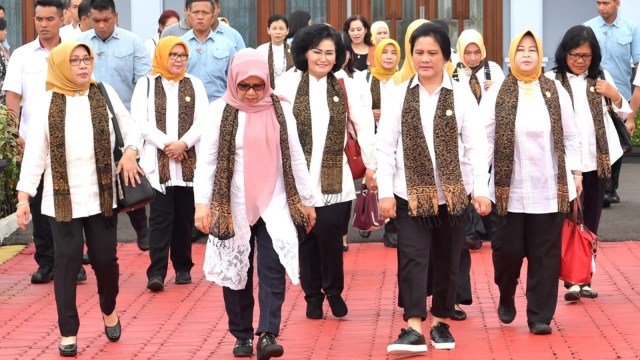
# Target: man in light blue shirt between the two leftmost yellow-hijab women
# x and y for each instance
(121, 59)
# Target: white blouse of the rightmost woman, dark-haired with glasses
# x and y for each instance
(584, 120)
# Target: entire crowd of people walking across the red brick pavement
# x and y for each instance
(246, 146)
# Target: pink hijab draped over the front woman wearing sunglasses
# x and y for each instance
(261, 132)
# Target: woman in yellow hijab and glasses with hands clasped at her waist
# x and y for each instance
(168, 105)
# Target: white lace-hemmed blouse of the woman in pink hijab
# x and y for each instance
(228, 265)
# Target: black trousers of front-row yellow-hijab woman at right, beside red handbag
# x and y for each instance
(538, 238)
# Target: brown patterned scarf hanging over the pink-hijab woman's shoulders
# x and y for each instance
(222, 220)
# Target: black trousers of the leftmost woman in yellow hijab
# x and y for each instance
(69, 246)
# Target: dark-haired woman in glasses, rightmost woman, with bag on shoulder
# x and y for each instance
(578, 60)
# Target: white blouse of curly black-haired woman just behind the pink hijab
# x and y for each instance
(361, 117)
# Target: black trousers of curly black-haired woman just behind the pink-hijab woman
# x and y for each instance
(321, 262)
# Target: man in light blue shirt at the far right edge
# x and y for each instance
(619, 40)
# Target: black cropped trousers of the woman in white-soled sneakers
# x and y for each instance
(422, 241)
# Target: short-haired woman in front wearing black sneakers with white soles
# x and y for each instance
(431, 157)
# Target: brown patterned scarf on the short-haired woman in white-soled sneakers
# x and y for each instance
(421, 186)
